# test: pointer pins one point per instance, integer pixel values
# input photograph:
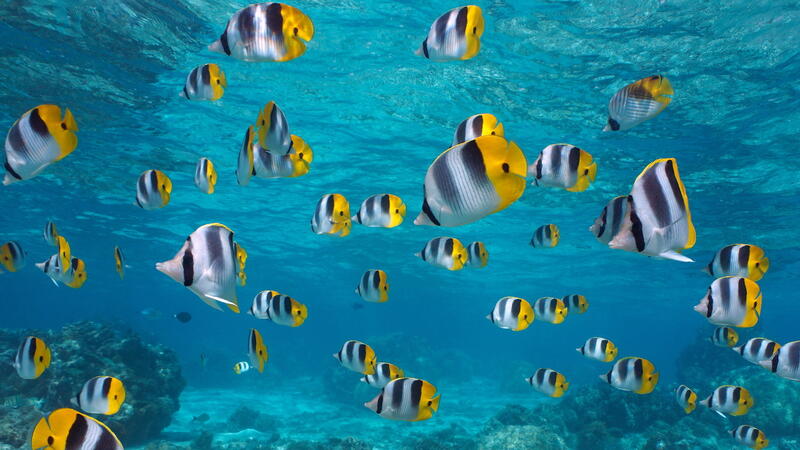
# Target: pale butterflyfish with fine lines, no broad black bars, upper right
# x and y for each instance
(638, 102)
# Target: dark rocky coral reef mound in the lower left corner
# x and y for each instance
(82, 350)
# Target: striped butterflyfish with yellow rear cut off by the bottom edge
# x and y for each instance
(69, 429)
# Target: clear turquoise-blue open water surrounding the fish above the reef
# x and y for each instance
(376, 116)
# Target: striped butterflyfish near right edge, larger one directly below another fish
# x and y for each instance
(732, 301)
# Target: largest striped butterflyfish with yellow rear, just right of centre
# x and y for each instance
(470, 181)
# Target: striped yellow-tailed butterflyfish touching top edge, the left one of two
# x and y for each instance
(265, 32)
